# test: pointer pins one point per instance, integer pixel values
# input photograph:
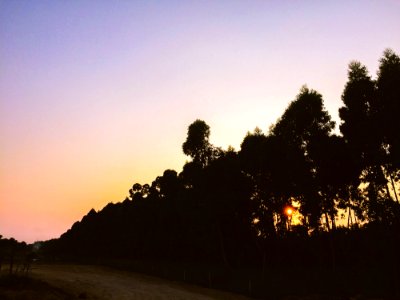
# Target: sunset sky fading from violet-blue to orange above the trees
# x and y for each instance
(98, 95)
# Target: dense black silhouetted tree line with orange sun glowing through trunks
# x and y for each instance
(300, 193)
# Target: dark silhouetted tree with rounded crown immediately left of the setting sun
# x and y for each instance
(272, 167)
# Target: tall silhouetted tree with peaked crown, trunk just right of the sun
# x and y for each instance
(304, 125)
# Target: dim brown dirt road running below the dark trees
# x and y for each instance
(93, 282)
